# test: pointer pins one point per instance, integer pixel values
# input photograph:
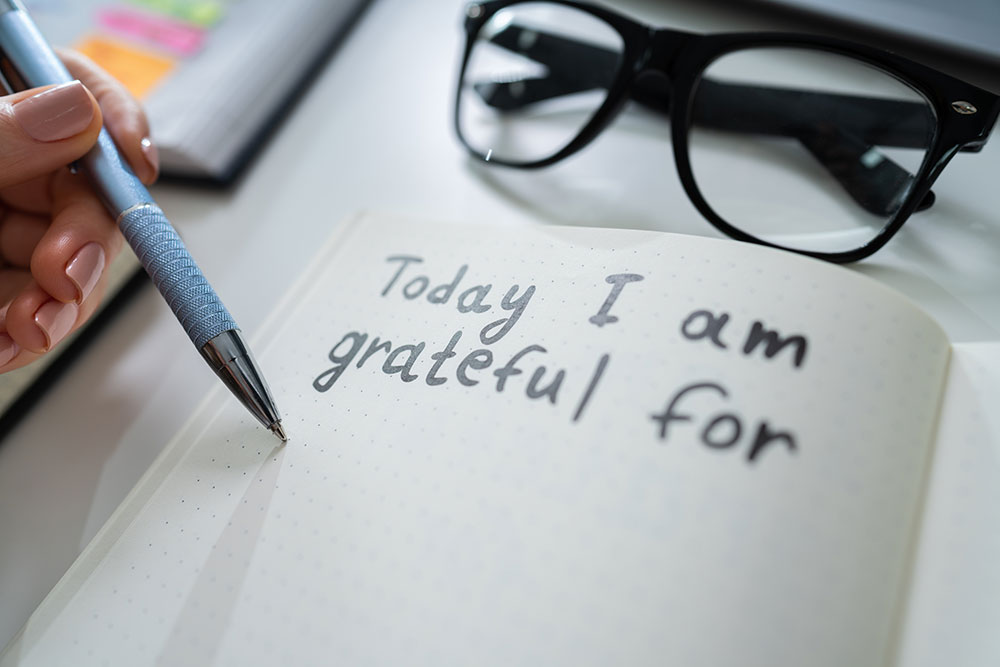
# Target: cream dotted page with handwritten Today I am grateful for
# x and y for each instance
(533, 446)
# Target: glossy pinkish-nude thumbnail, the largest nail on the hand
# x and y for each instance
(58, 113)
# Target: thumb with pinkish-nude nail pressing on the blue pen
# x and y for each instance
(43, 129)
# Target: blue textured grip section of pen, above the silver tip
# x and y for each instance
(162, 253)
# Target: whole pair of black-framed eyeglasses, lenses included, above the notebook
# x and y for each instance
(814, 145)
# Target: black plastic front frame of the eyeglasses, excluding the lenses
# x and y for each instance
(965, 114)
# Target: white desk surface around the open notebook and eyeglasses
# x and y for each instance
(374, 132)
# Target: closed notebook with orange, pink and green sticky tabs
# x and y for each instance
(213, 75)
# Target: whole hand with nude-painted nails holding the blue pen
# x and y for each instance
(56, 238)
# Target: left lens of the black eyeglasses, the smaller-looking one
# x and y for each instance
(526, 94)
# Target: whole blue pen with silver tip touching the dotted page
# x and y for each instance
(27, 61)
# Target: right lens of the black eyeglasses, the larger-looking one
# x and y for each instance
(806, 149)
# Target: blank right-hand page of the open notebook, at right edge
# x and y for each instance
(954, 609)
